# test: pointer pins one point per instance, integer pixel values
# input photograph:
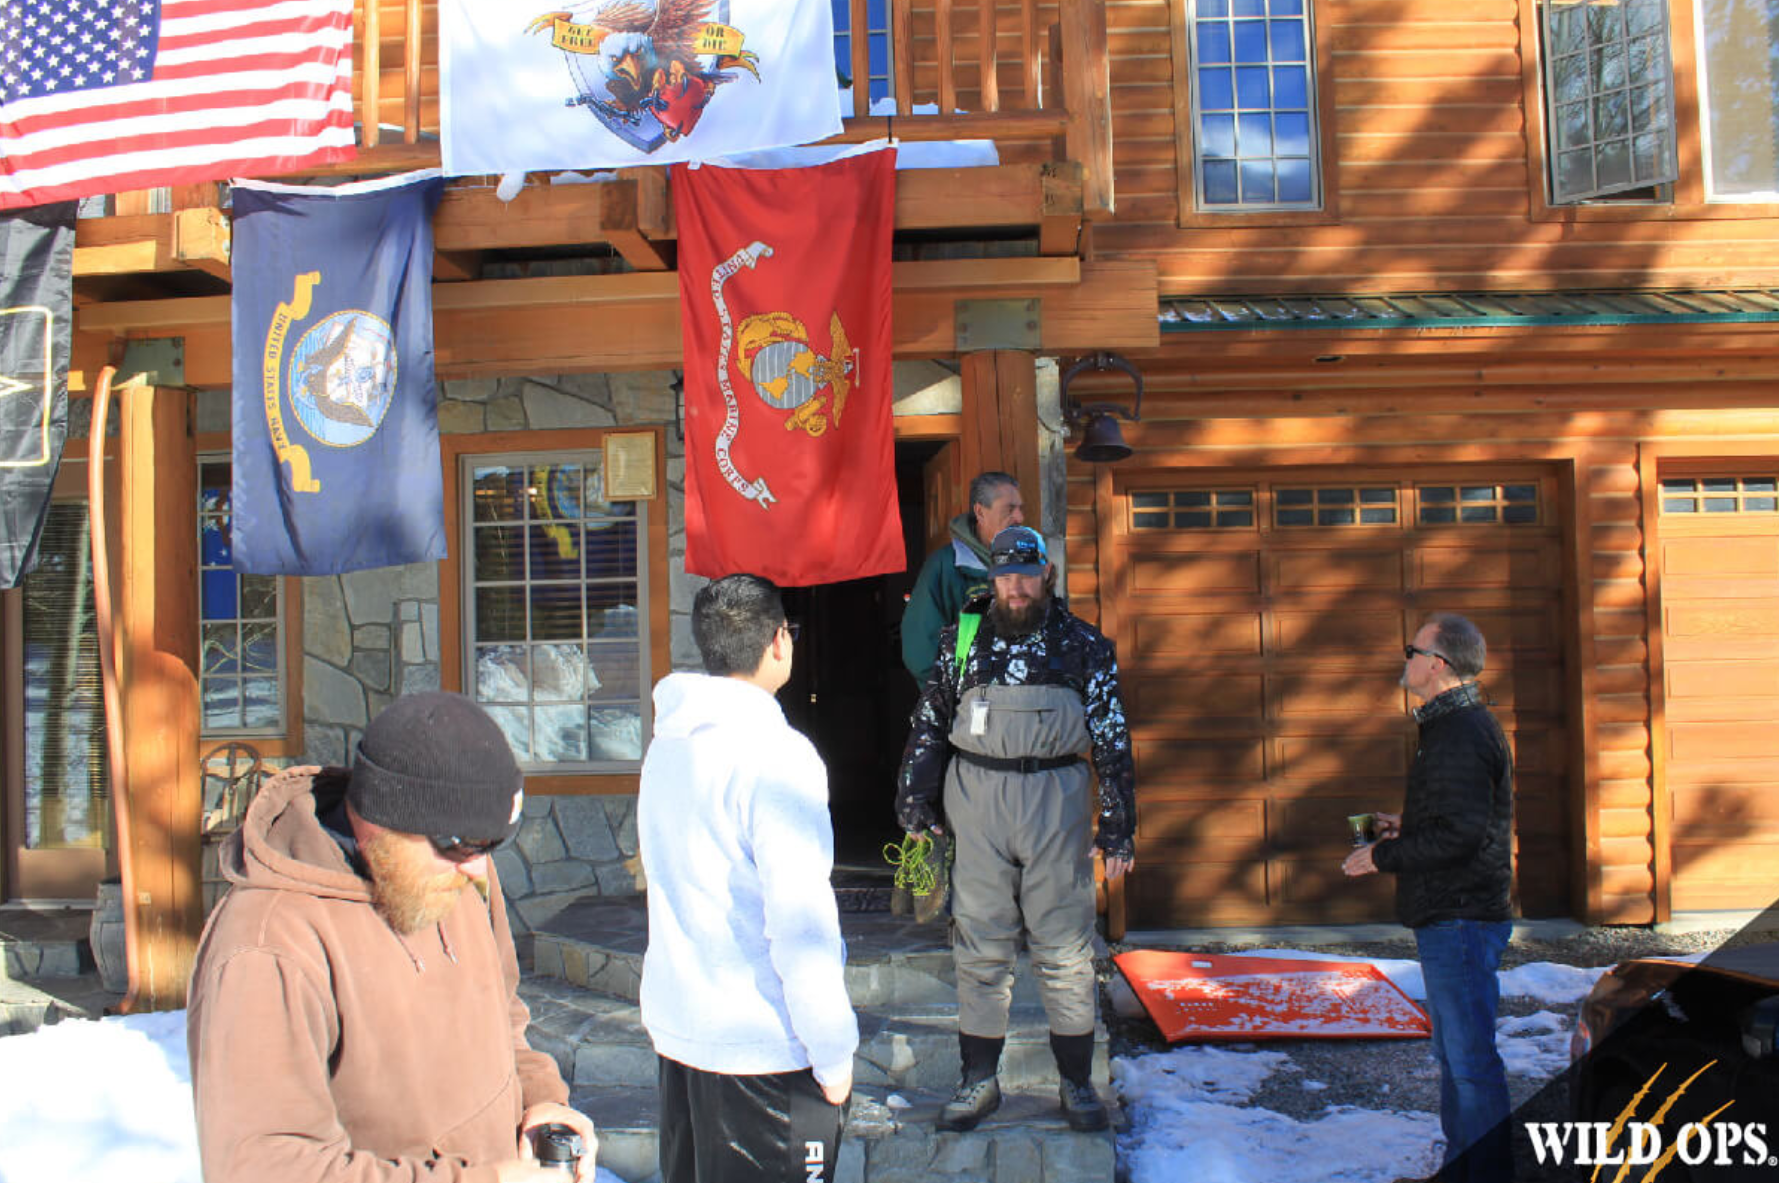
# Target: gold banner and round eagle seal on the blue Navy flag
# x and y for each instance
(341, 378)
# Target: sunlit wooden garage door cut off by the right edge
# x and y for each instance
(1721, 686)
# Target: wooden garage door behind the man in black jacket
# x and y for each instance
(1260, 632)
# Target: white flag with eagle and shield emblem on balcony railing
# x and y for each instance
(602, 84)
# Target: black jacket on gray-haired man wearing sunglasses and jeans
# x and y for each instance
(1454, 858)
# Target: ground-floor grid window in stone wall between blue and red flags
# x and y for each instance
(556, 609)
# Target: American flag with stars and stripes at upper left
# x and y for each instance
(104, 97)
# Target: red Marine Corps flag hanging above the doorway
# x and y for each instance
(785, 312)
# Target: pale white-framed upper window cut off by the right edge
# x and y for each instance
(1739, 90)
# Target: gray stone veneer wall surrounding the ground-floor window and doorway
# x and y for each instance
(373, 636)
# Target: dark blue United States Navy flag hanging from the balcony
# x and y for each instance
(337, 449)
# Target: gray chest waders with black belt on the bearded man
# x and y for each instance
(1020, 805)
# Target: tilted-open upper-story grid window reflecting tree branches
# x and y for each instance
(1609, 97)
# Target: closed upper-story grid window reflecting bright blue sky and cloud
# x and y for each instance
(1253, 106)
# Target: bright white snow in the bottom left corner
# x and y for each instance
(101, 1102)
